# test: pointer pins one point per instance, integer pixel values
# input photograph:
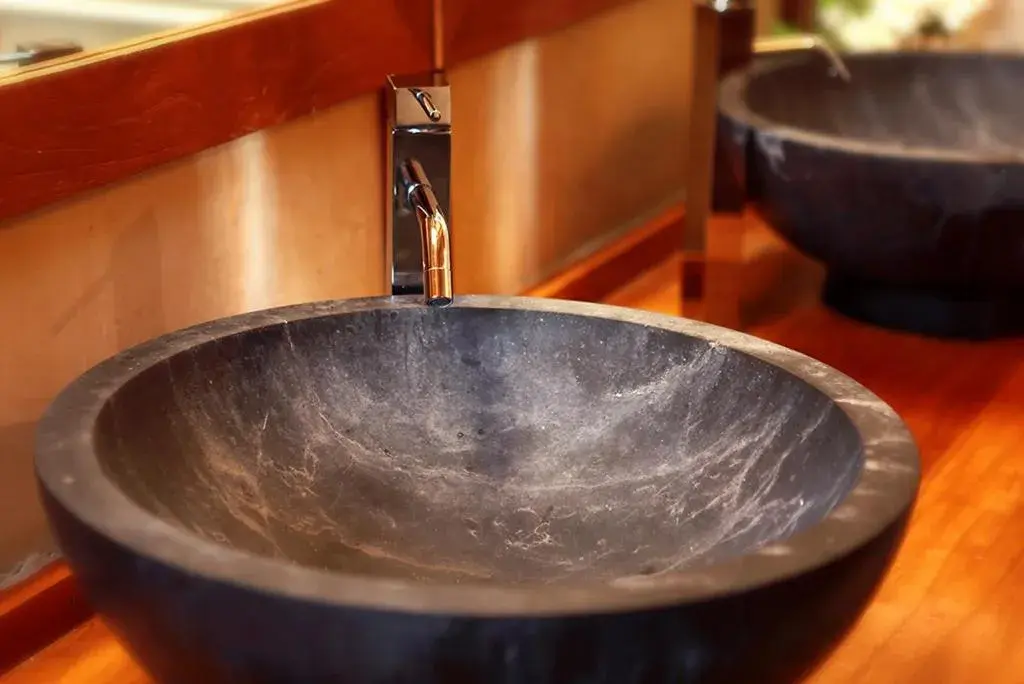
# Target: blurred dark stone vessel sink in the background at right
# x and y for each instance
(907, 183)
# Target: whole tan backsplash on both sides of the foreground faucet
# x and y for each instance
(560, 143)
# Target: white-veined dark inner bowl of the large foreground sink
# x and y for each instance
(477, 445)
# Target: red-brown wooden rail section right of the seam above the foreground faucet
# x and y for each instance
(475, 28)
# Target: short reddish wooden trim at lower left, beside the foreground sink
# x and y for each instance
(37, 613)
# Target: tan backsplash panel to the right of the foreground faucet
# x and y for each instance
(562, 143)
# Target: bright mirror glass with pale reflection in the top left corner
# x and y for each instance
(34, 31)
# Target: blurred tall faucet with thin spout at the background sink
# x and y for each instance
(724, 40)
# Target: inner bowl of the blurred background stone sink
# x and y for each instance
(956, 103)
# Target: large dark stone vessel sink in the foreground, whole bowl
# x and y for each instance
(508, 490)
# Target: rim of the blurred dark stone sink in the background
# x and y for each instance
(733, 104)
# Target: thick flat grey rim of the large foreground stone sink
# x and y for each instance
(69, 469)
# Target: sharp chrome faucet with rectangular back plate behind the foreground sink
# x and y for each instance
(419, 163)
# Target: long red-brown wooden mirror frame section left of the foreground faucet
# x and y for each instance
(99, 118)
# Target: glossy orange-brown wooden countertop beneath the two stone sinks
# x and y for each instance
(952, 610)
